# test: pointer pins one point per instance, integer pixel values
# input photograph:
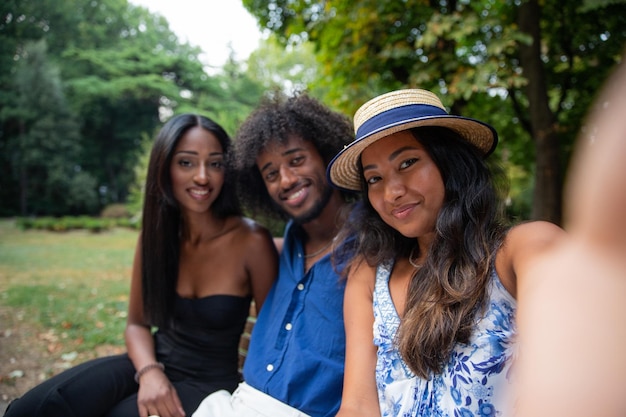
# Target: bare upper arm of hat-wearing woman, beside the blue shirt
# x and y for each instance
(360, 397)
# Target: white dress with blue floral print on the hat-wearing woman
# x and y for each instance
(476, 381)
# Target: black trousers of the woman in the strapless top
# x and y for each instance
(103, 387)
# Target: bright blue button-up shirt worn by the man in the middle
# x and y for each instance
(297, 347)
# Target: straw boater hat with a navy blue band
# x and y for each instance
(396, 111)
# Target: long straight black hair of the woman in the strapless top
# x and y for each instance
(162, 221)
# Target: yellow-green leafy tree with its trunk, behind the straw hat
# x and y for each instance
(530, 67)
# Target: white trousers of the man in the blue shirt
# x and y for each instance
(246, 401)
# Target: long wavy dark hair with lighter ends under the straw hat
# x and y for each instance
(444, 295)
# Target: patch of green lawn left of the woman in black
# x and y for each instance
(72, 285)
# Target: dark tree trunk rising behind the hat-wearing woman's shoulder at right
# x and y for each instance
(547, 199)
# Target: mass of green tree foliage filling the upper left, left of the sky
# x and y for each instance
(118, 72)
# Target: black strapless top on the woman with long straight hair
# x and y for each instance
(202, 340)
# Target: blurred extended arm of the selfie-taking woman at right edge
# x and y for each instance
(571, 320)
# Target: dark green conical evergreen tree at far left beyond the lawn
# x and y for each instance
(47, 138)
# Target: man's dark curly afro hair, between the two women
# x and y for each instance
(275, 121)
